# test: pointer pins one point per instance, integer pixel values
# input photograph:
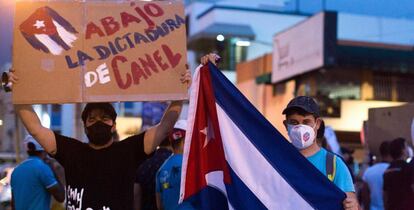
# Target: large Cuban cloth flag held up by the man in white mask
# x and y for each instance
(235, 159)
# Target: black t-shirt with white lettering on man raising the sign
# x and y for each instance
(100, 179)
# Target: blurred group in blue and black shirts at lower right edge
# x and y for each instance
(389, 182)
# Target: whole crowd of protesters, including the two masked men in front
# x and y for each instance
(144, 170)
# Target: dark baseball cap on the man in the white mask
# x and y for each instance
(303, 102)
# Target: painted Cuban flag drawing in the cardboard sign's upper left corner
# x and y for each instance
(47, 31)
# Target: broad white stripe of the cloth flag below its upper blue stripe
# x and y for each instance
(254, 170)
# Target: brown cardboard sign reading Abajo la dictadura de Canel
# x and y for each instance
(69, 52)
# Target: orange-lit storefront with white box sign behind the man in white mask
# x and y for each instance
(346, 77)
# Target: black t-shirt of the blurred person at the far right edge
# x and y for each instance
(397, 185)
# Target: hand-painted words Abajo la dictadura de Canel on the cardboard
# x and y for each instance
(141, 68)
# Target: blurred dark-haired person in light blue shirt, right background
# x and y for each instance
(371, 193)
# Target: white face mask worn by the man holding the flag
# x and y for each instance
(301, 136)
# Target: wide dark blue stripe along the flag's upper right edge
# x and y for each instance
(312, 185)
